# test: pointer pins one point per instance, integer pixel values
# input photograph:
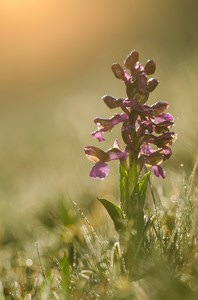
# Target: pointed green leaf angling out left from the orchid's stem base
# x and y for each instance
(114, 212)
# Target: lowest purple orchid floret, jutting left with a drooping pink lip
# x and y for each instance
(101, 169)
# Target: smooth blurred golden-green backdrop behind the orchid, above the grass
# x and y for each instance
(55, 59)
